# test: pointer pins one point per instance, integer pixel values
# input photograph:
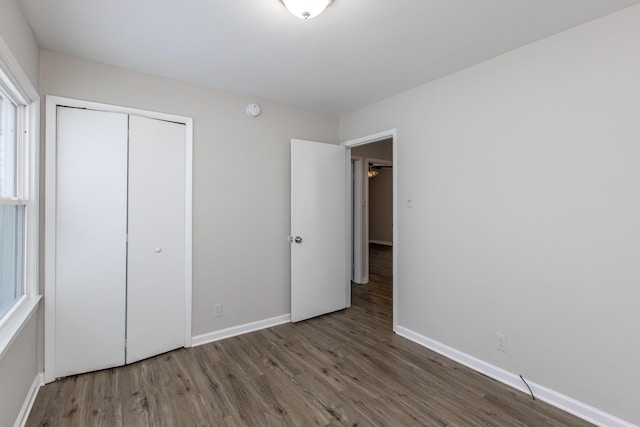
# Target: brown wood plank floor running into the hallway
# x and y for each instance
(342, 369)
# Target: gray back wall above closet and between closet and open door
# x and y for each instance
(241, 213)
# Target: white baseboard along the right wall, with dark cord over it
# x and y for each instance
(559, 400)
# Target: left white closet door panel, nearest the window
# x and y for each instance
(91, 215)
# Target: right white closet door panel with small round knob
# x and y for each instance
(156, 269)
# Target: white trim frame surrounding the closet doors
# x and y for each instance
(52, 102)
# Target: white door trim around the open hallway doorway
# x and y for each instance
(391, 133)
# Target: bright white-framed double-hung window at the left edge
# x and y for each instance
(19, 106)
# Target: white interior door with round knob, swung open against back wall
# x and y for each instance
(319, 226)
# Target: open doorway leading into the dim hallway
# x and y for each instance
(373, 215)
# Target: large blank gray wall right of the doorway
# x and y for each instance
(524, 175)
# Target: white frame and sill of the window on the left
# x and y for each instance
(16, 84)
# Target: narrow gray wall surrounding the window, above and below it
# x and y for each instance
(19, 365)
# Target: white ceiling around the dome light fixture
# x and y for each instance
(356, 53)
